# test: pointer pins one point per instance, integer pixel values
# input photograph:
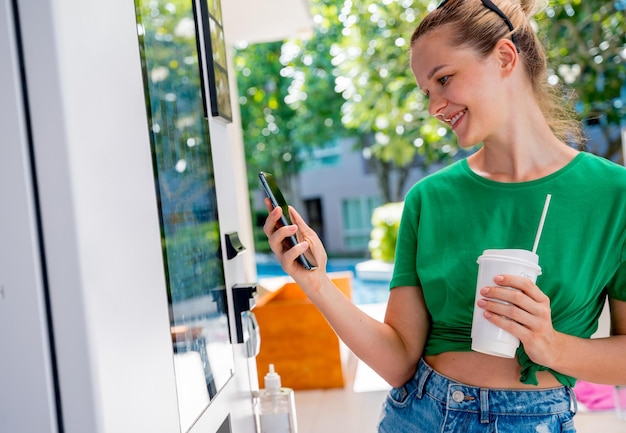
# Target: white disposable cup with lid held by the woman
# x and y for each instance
(487, 337)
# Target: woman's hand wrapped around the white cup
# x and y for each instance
(527, 315)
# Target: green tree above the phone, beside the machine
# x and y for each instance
(287, 99)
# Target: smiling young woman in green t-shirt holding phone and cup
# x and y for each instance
(484, 72)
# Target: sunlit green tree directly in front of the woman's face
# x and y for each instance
(382, 99)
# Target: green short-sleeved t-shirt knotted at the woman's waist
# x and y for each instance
(451, 216)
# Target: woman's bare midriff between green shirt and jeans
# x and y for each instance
(477, 369)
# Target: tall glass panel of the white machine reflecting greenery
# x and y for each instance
(185, 186)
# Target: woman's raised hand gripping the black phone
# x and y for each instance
(309, 244)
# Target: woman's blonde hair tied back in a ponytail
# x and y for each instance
(471, 24)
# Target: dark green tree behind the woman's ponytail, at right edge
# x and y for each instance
(587, 48)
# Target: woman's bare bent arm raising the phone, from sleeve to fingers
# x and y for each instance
(392, 348)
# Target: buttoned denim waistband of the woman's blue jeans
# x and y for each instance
(485, 401)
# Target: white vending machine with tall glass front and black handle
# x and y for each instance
(127, 279)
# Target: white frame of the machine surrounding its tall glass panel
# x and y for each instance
(83, 306)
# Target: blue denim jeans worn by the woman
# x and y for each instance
(432, 403)
